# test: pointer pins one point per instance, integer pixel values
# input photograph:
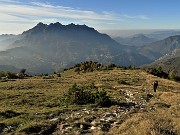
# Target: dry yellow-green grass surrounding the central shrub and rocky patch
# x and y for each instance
(36, 99)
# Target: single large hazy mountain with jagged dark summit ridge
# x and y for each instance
(49, 48)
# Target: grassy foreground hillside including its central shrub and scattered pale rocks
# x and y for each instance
(114, 101)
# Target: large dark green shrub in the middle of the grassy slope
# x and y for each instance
(87, 95)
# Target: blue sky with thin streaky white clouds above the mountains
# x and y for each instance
(17, 16)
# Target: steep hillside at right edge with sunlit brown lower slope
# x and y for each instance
(165, 53)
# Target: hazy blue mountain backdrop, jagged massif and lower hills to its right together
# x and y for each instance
(48, 48)
